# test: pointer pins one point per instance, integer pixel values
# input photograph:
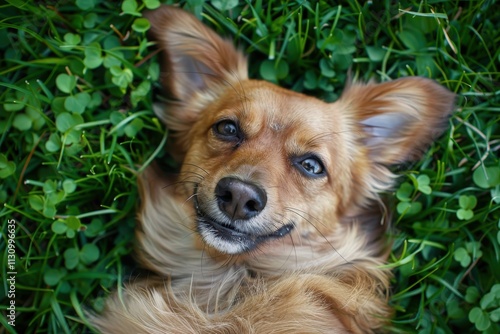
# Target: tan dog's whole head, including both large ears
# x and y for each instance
(261, 162)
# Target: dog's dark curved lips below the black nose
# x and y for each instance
(230, 234)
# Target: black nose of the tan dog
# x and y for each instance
(238, 199)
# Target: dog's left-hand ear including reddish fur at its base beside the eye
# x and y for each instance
(197, 64)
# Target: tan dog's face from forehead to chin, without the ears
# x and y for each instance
(265, 162)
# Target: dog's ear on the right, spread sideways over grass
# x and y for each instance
(397, 120)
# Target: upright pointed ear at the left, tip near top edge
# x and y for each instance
(194, 56)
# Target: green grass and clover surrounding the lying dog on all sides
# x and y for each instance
(76, 89)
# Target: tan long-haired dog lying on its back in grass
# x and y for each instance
(274, 223)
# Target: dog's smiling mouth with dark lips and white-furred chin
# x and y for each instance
(228, 239)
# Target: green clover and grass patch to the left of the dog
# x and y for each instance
(75, 84)
